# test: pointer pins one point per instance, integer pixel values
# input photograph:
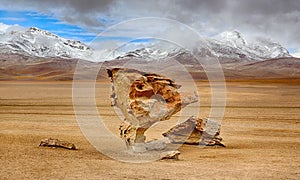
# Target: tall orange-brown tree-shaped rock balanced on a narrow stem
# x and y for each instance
(144, 99)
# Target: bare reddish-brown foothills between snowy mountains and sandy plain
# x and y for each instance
(20, 67)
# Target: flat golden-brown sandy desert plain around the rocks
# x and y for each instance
(261, 131)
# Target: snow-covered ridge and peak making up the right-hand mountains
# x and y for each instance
(229, 44)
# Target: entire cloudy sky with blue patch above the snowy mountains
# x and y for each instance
(83, 20)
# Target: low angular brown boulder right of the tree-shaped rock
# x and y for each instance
(196, 131)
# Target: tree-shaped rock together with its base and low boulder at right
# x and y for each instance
(146, 98)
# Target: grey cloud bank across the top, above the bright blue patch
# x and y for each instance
(279, 19)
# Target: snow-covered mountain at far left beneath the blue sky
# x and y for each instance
(40, 43)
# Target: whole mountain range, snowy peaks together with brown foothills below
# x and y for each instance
(36, 54)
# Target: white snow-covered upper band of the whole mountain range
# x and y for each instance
(230, 44)
